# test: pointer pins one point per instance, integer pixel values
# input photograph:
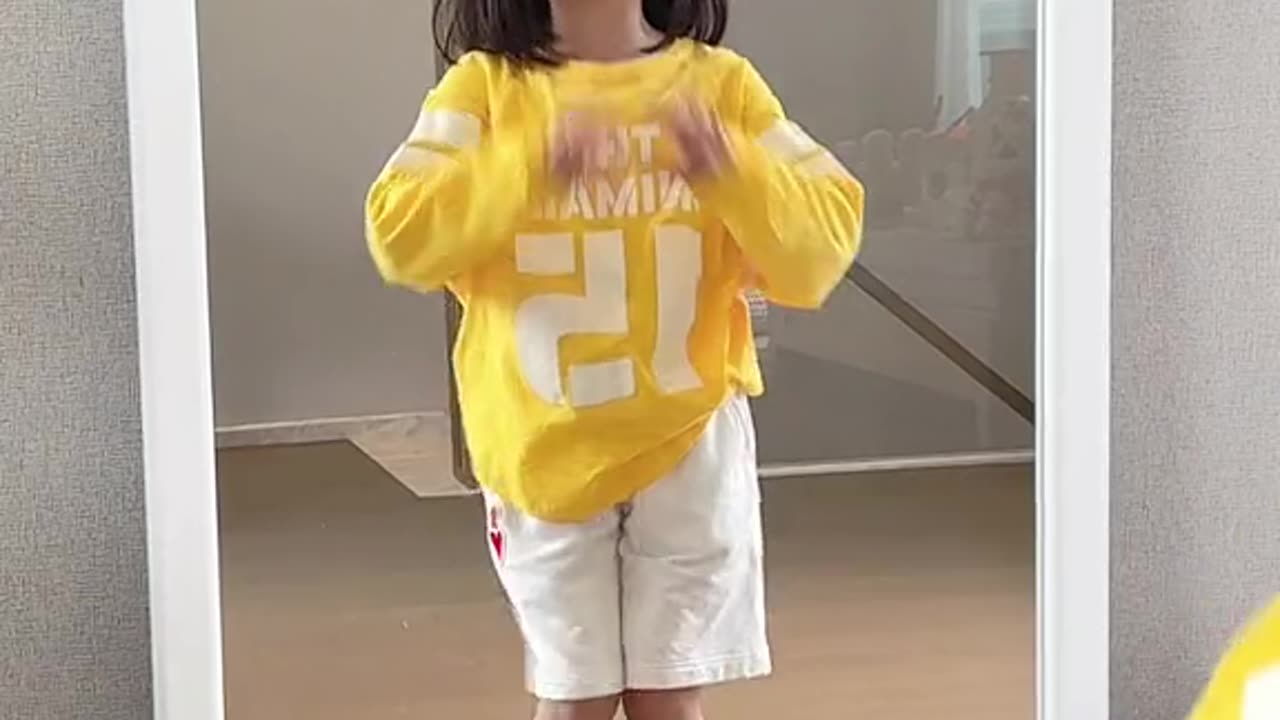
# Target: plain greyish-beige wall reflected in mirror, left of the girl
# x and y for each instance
(304, 101)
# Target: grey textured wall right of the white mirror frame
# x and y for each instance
(1196, 332)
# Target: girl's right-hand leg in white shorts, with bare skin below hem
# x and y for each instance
(693, 576)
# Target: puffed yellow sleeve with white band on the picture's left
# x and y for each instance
(454, 193)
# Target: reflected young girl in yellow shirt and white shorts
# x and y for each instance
(600, 186)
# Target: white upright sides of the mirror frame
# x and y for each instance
(1073, 350)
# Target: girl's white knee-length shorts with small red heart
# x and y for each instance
(664, 593)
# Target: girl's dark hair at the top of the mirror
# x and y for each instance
(522, 30)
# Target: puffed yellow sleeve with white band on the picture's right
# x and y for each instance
(793, 208)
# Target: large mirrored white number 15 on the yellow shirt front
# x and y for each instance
(604, 308)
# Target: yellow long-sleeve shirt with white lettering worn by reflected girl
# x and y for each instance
(605, 322)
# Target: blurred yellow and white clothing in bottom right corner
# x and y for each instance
(1247, 682)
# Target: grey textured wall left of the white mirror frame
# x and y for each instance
(74, 593)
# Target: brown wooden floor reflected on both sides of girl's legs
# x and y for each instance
(894, 596)
